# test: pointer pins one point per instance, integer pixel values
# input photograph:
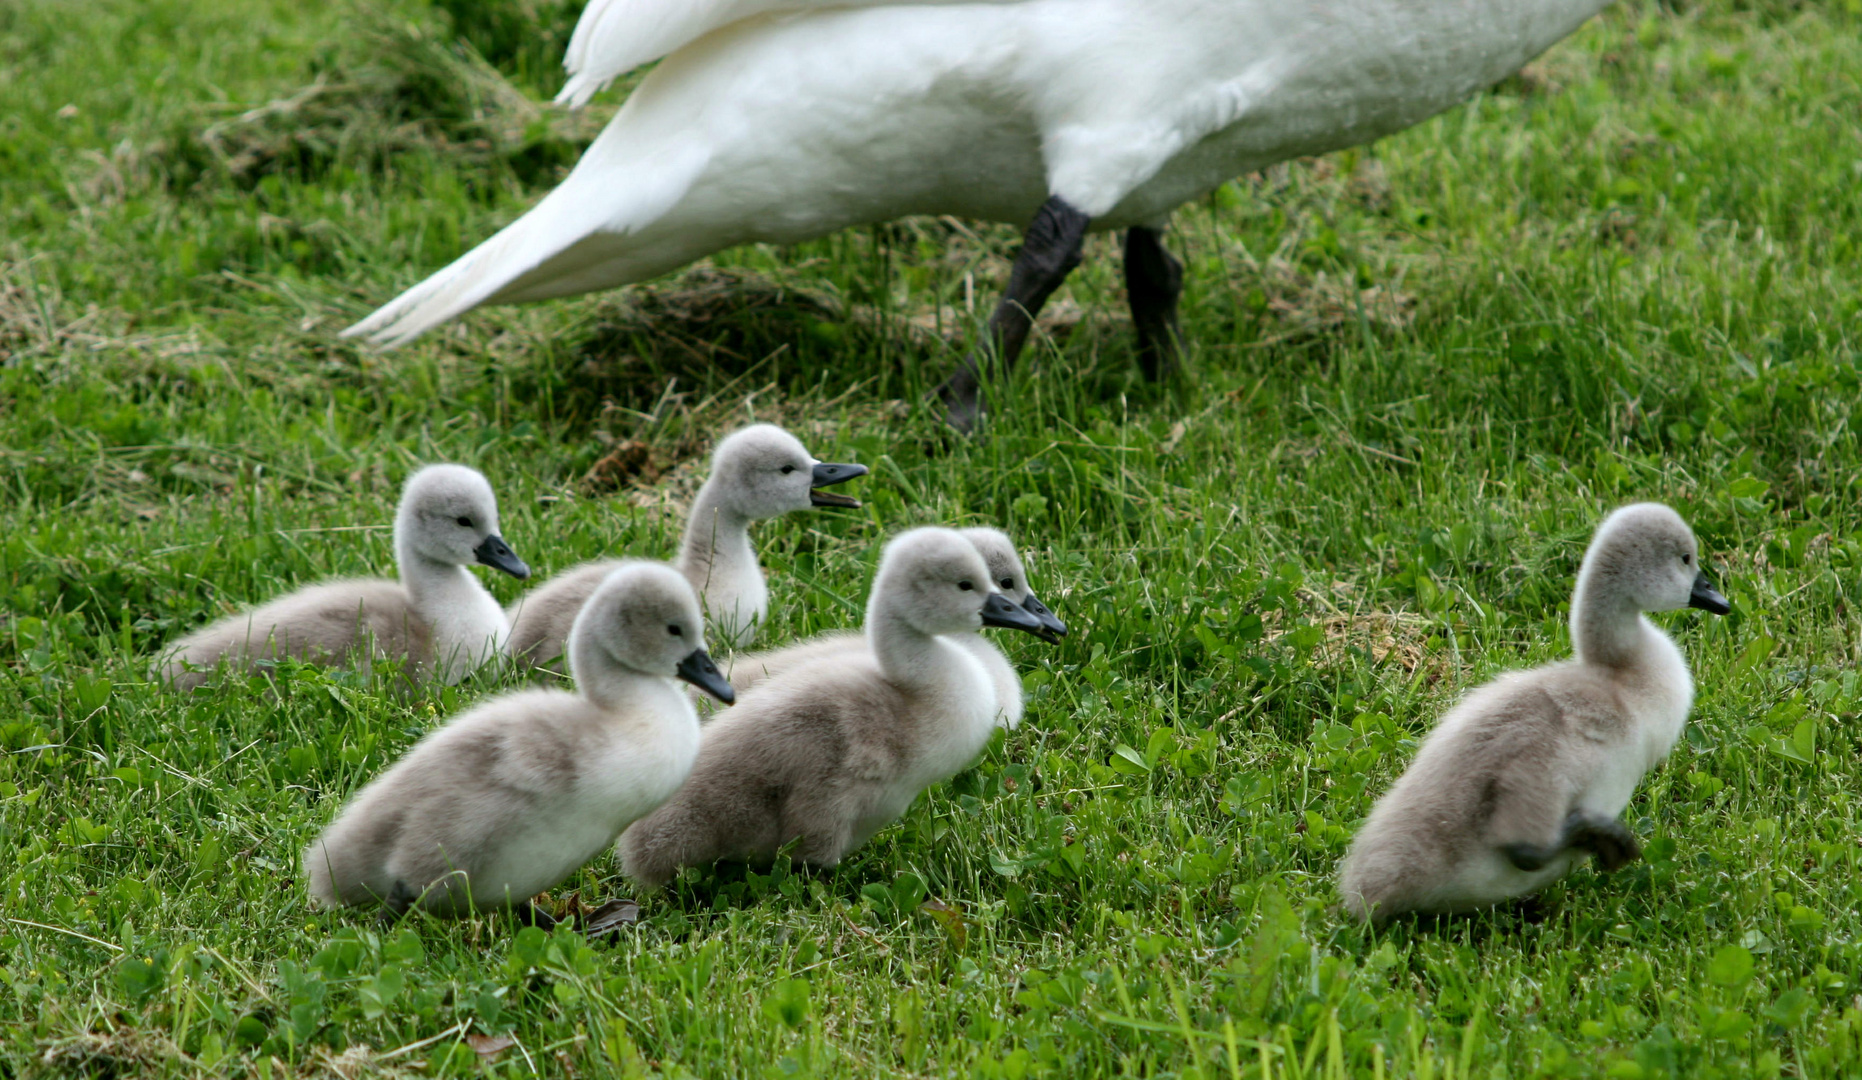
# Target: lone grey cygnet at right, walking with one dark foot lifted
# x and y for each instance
(1533, 770)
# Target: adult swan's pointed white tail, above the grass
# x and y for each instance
(582, 237)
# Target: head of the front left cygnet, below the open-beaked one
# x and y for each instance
(645, 619)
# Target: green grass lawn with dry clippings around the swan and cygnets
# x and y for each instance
(1636, 275)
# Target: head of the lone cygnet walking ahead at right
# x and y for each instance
(1645, 558)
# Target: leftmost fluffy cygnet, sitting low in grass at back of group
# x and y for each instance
(439, 617)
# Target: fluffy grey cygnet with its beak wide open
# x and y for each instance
(759, 472)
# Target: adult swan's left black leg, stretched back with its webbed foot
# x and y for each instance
(1051, 250)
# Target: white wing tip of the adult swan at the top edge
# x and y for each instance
(617, 36)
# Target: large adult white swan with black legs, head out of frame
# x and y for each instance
(779, 122)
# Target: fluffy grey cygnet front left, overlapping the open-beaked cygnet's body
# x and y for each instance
(517, 794)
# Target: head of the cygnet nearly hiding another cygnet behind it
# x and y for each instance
(939, 584)
